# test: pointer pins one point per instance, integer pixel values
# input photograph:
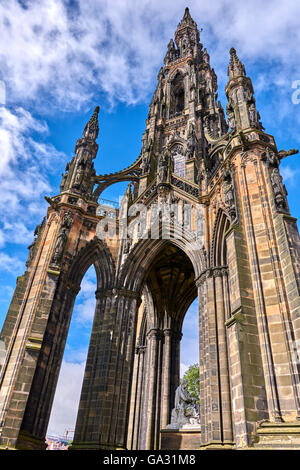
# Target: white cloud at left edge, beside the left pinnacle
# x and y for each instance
(25, 166)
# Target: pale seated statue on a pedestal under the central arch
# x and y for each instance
(186, 412)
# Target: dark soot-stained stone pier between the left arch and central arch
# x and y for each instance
(104, 404)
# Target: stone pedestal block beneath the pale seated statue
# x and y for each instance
(180, 439)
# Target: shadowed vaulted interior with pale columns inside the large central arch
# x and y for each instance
(168, 291)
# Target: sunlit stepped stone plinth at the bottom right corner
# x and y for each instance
(278, 436)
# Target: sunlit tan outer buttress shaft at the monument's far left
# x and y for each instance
(23, 348)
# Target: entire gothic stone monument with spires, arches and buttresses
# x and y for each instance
(242, 264)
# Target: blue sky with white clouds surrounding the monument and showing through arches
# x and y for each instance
(59, 59)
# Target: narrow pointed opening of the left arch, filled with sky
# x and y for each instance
(64, 410)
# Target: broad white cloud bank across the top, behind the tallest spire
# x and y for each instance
(117, 47)
